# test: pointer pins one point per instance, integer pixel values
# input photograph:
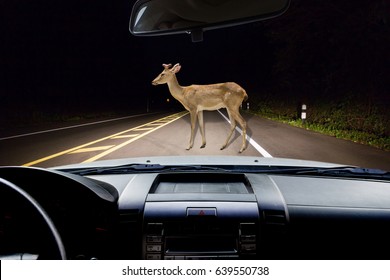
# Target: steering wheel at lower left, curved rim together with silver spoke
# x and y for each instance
(11, 187)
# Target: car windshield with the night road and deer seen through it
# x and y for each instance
(77, 87)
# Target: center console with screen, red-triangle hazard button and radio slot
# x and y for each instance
(200, 216)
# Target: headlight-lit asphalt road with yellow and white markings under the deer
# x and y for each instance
(160, 134)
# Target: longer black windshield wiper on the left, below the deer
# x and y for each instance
(141, 168)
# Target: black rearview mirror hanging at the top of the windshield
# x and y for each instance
(162, 17)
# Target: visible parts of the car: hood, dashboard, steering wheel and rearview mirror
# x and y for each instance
(195, 207)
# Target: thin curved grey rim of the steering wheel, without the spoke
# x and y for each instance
(42, 212)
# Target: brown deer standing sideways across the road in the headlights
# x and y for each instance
(197, 98)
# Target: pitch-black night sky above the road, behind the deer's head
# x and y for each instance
(78, 56)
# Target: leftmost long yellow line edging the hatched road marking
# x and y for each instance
(178, 115)
